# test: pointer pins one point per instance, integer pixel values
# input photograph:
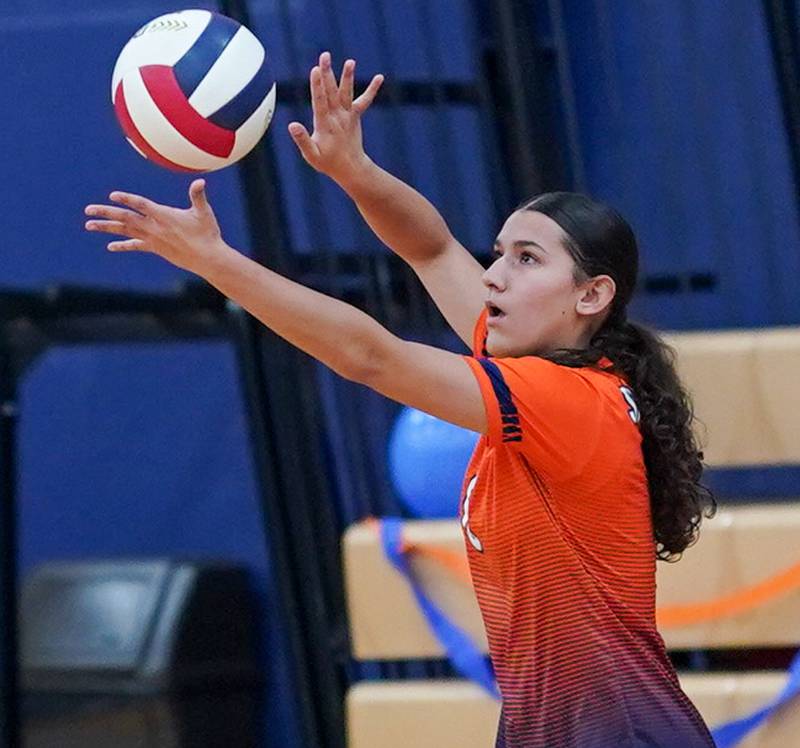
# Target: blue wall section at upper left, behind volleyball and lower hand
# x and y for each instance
(65, 149)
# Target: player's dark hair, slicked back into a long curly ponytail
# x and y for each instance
(602, 243)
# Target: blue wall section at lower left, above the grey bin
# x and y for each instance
(129, 452)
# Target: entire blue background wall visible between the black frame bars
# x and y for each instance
(669, 111)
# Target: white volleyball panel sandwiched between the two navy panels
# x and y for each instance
(233, 70)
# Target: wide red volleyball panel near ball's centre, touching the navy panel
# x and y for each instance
(167, 95)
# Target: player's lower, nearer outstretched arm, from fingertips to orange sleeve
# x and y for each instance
(341, 336)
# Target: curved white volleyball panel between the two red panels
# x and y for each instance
(159, 133)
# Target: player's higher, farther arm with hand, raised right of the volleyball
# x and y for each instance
(399, 215)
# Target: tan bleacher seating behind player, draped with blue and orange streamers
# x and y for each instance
(743, 385)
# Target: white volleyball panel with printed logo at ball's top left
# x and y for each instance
(162, 41)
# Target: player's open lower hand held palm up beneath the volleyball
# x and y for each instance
(187, 237)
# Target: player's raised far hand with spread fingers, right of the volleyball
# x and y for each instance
(336, 146)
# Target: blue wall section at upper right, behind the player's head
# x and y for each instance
(681, 129)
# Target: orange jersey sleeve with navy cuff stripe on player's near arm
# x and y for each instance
(551, 414)
